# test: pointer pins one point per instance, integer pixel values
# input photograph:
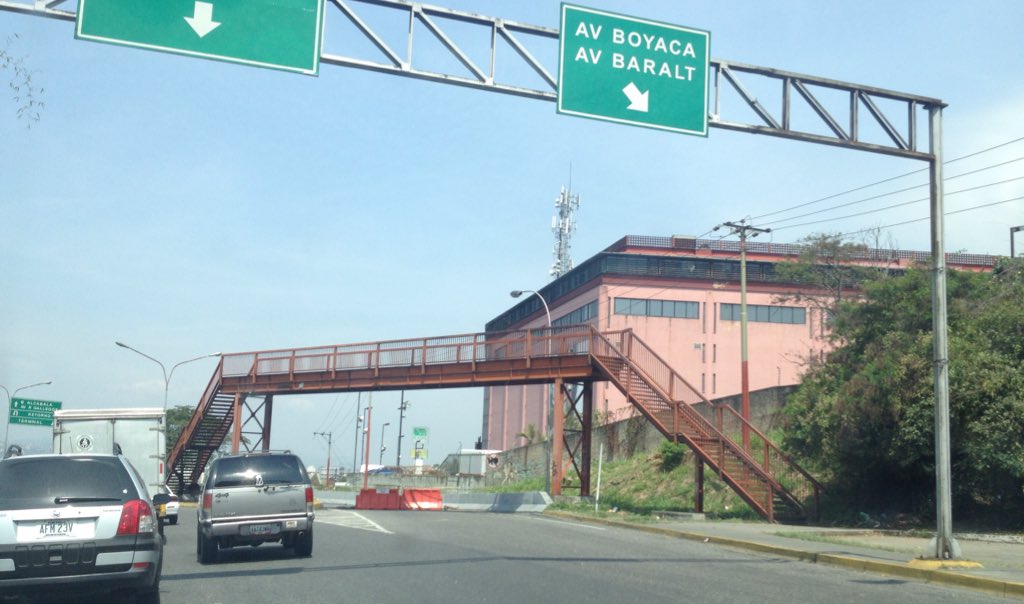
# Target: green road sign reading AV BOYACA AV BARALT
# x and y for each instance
(633, 71)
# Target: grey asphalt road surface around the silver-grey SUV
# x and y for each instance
(477, 557)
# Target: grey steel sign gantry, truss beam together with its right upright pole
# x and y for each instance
(895, 119)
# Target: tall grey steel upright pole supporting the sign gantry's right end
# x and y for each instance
(946, 546)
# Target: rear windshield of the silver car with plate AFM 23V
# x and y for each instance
(30, 483)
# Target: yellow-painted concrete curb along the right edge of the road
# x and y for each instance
(906, 571)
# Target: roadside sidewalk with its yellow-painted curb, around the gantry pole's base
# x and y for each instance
(993, 565)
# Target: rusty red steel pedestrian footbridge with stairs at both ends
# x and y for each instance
(240, 399)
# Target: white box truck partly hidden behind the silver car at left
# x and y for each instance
(140, 433)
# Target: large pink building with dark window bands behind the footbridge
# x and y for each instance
(681, 296)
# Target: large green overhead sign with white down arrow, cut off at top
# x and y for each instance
(279, 34)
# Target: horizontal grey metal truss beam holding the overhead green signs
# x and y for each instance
(844, 127)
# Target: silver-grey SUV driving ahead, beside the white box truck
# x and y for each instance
(251, 499)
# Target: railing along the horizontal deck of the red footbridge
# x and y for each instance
(467, 349)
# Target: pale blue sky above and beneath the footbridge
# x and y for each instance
(185, 206)
